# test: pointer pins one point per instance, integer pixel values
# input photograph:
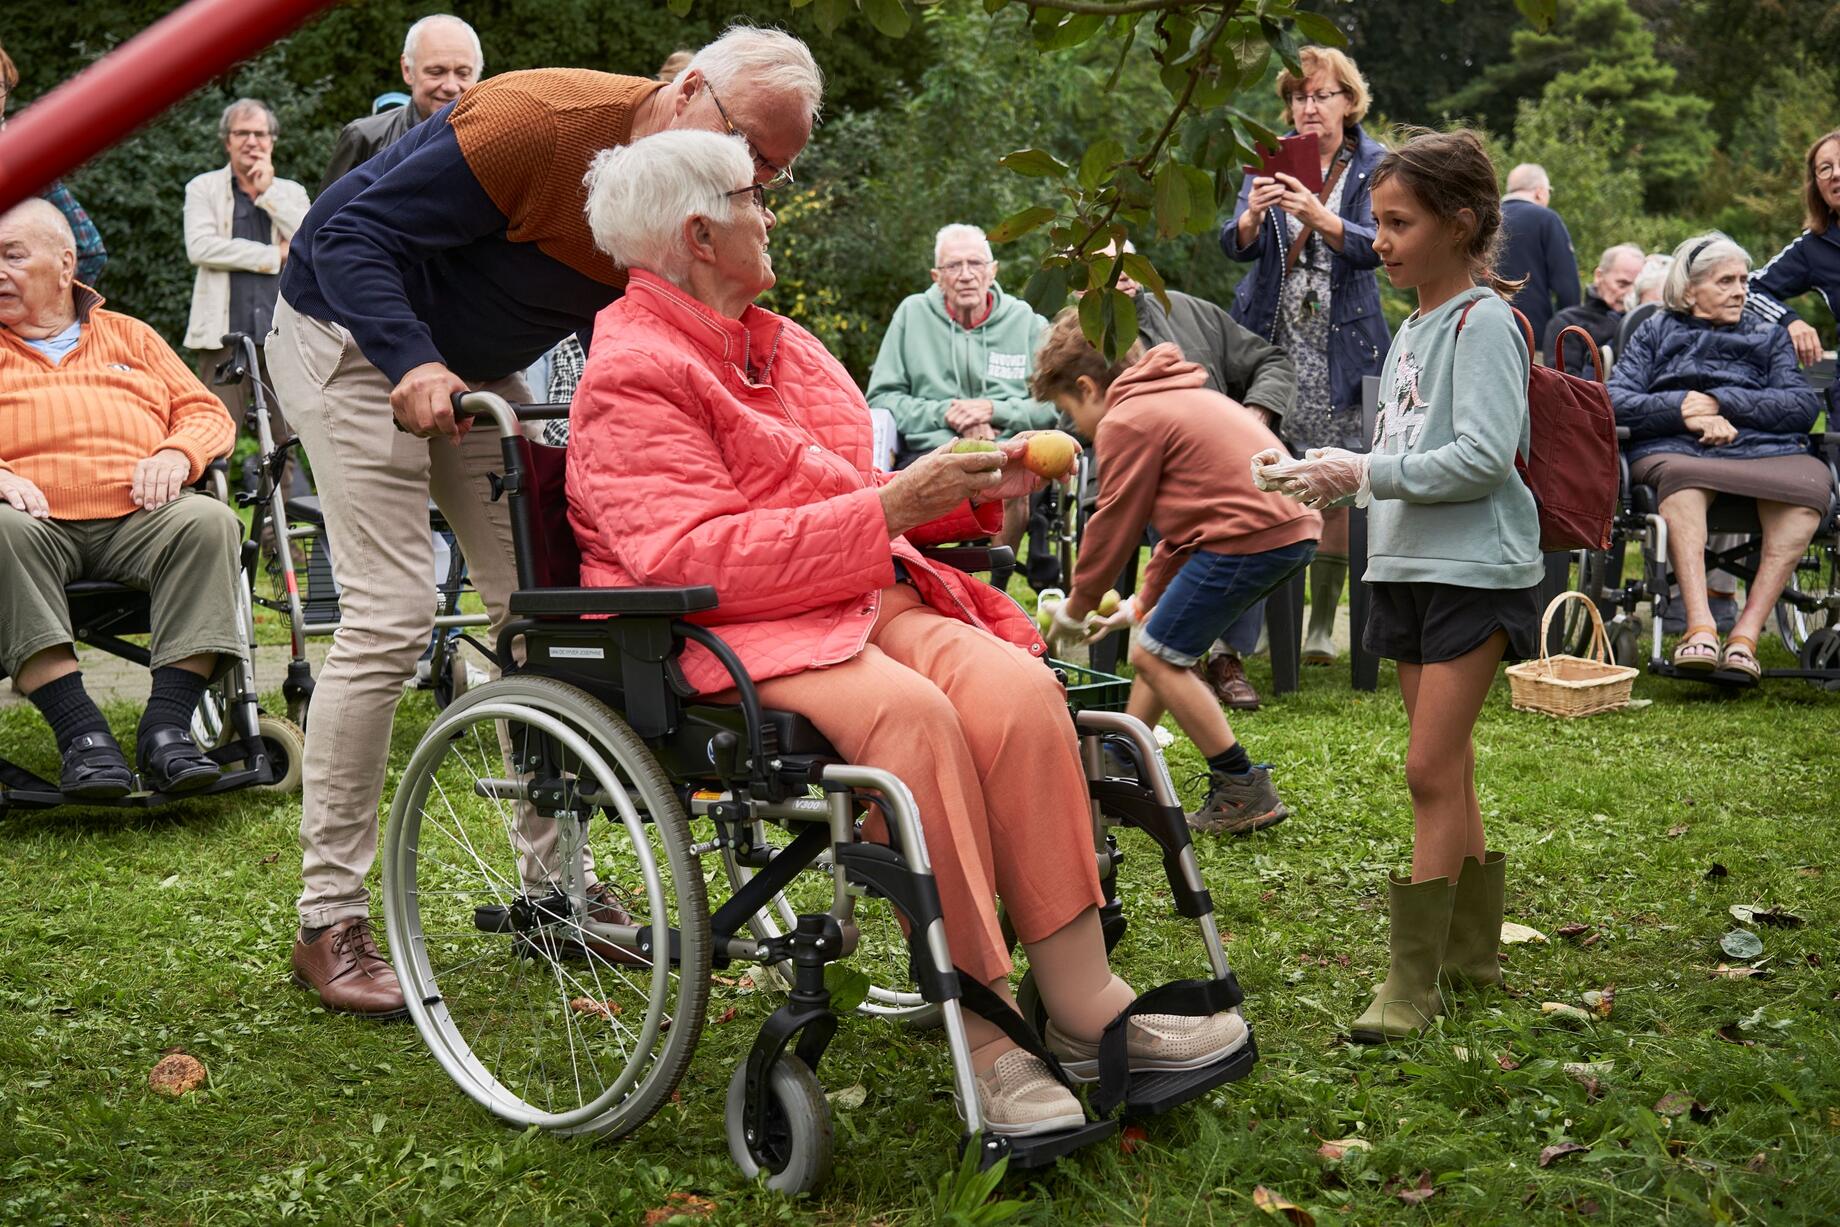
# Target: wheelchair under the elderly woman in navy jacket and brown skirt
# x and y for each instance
(1808, 615)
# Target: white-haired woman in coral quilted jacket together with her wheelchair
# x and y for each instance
(719, 444)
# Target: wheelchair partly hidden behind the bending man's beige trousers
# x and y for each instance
(308, 597)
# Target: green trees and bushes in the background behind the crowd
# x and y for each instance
(1657, 119)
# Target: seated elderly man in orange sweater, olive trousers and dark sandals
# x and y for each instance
(102, 428)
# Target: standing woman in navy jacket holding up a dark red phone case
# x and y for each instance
(1313, 290)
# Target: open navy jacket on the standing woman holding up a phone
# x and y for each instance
(1359, 336)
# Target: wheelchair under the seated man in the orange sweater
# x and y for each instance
(255, 748)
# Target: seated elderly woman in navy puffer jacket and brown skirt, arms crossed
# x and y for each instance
(1716, 406)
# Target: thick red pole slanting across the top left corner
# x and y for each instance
(135, 84)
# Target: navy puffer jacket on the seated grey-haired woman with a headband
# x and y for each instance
(1747, 367)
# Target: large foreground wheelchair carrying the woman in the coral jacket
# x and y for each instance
(549, 1013)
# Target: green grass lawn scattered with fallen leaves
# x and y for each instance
(130, 935)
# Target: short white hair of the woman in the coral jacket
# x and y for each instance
(639, 196)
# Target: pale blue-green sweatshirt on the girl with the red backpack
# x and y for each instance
(1449, 505)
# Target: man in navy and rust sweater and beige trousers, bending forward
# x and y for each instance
(448, 264)
